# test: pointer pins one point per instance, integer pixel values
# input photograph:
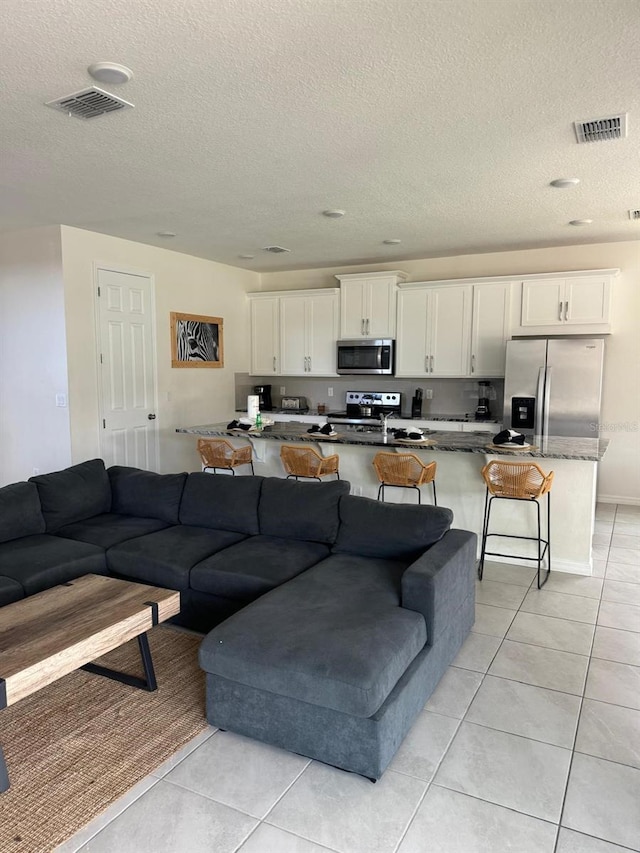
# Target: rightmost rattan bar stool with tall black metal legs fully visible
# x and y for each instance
(517, 481)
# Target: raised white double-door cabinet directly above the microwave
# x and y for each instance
(368, 304)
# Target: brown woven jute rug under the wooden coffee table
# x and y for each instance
(79, 744)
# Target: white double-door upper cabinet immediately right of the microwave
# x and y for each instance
(434, 331)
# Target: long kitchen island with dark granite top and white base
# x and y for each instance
(460, 457)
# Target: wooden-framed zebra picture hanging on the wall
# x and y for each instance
(196, 341)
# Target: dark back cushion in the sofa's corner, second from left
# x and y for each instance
(71, 495)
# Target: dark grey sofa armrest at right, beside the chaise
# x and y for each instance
(439, 581)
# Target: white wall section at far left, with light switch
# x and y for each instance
(34, 432)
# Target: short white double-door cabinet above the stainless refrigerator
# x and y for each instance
(564, 302)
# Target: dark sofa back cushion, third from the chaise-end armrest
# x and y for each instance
(222, 502)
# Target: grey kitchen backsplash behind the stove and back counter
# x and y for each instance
(450, 396)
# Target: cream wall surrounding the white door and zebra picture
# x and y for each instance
(182, 283)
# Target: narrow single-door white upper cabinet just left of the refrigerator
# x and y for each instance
(489, 329)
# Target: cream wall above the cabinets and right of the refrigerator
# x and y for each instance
(619, 478)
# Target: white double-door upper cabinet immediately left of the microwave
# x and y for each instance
(308, 333)
